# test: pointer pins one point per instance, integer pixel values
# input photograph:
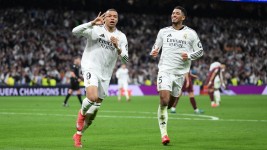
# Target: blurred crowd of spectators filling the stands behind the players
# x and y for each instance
(37, 44)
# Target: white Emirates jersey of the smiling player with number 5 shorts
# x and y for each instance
(173, 42)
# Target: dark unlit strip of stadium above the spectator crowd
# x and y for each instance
(207, 8)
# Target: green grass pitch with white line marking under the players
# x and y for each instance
(41, 123)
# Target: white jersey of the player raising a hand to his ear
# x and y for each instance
(100, 55)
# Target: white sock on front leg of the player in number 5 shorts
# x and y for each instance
(163, 119)
